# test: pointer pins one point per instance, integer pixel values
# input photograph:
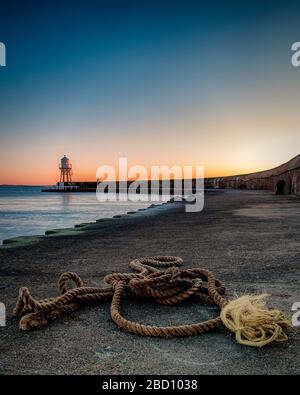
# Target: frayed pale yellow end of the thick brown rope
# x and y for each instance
(253, 323)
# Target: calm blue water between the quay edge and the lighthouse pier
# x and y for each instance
(28, 211)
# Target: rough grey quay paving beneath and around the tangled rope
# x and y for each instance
(250, 240)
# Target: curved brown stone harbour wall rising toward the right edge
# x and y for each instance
(282, 179)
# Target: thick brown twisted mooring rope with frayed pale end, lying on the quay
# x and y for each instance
(252, 323)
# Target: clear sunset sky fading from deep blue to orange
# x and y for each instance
(206, 83)
